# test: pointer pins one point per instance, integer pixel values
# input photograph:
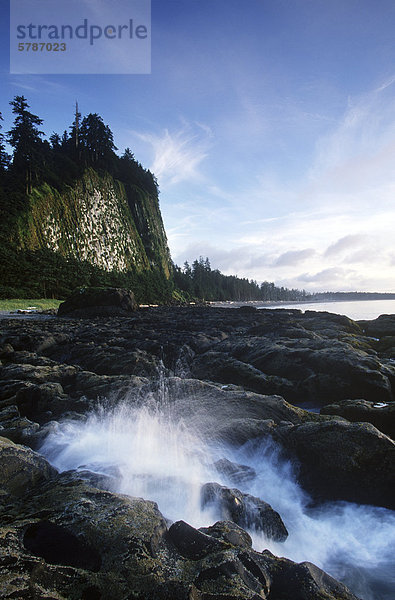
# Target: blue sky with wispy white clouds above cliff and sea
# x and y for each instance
(270, 126)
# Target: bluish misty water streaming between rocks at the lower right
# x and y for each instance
(354, 543)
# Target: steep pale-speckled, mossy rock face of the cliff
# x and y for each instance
(99, 221)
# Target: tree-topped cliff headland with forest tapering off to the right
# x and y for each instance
(48, 247)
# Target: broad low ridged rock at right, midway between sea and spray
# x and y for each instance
(319, 370)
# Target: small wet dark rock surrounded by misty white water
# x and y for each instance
(245, 510)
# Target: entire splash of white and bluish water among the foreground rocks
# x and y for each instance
(154, 454)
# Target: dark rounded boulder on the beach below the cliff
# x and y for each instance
(100, 302)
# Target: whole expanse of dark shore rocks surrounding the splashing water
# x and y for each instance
(233, 376)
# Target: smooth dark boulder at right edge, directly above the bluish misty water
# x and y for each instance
(344, 461)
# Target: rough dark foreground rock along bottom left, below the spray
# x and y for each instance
(67, 539)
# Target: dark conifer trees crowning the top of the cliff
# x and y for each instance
(88, 142)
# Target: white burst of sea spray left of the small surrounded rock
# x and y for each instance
(147, 452)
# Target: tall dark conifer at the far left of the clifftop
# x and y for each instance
(24, 137)
